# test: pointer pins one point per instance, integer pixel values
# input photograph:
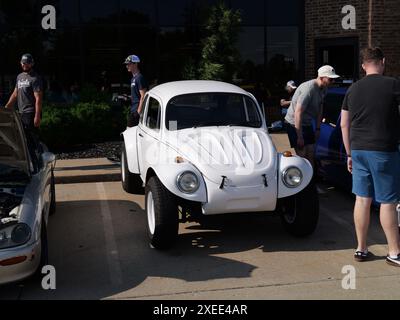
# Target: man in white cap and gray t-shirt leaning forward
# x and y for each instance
(306, 108)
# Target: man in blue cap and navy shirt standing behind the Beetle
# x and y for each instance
(138, 90)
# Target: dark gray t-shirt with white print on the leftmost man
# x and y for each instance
(27, 84)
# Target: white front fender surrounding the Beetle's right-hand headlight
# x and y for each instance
(287, 162)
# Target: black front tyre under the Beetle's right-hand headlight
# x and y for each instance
(300, 213)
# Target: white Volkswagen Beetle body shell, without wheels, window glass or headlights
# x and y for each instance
(238, 167)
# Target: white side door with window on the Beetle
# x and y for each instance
(149, 134)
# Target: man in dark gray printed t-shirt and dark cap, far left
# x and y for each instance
(28, 94)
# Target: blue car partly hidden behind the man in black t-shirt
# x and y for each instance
(330, 153)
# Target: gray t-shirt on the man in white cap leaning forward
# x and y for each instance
(311, 97)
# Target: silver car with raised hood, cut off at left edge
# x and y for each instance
(27, 197)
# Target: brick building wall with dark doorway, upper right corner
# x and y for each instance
(335, 31)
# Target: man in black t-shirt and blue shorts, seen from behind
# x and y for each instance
(371, 131)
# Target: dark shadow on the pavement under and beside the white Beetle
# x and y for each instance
(78, 247)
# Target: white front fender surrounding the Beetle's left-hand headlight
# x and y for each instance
(169, 173)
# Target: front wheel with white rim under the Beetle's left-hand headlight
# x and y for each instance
(162, 215)
